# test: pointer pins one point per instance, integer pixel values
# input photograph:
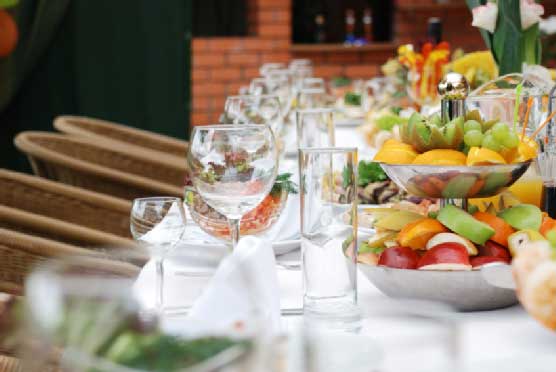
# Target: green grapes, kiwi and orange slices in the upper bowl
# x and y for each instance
(465, 140)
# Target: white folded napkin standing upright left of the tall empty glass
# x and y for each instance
(245, 282)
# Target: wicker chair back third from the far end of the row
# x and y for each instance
(70, 204)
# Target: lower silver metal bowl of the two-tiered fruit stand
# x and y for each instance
(489, 288)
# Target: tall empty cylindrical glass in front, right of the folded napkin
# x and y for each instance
(328, 195)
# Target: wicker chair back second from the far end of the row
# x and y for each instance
(116, 170)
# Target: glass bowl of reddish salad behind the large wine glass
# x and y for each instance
(259, 220)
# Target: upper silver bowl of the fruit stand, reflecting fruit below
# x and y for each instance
(455, 182)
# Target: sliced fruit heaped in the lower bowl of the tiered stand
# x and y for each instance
(454, 239)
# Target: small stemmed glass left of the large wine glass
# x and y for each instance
(158, 222)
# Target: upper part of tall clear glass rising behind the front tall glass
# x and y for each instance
(315, 128)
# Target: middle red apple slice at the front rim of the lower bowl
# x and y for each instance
(445, 256)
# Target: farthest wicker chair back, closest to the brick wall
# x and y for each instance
(108, 131)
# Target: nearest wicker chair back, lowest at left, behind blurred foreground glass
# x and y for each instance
(19, 253)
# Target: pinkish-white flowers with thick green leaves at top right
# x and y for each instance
(510, 29)
